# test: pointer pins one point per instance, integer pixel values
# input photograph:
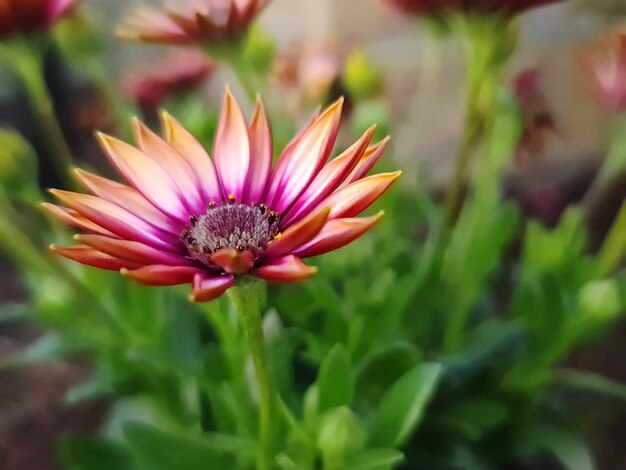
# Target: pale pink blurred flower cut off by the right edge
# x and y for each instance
(604, 67)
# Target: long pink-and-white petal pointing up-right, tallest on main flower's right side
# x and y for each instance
(299, 163)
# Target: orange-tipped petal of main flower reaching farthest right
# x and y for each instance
(358, 196)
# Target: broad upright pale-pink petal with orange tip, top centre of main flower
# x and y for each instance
(232, 148)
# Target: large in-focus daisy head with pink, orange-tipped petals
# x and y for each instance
(185, 217)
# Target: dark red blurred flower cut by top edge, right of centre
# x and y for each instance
(441, 7)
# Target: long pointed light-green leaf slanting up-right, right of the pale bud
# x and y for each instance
(401, 408)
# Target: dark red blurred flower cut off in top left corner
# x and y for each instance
(25, 16)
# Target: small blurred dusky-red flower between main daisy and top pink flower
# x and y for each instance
(176, 74)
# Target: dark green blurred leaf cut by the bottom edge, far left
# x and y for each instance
(80, 453)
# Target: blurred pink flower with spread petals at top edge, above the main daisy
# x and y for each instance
(200, 21)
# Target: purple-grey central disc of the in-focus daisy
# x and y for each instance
(234, 225)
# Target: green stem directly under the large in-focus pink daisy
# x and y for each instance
(246, 296)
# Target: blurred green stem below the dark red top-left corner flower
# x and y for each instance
(28, 63)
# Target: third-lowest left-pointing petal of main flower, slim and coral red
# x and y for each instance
(132, 251)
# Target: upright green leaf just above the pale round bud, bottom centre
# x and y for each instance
(335, 381)
